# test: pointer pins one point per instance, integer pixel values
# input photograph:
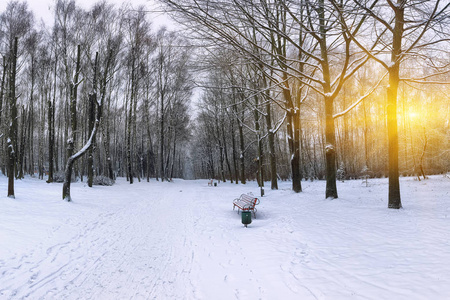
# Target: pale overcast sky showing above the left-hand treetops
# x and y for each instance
(43, 8)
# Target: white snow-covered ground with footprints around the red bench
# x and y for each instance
(182, 240)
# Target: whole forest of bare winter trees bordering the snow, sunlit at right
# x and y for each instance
(242, 90)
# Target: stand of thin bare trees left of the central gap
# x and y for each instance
(105, 64)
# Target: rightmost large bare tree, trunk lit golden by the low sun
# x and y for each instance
(407, 29)
